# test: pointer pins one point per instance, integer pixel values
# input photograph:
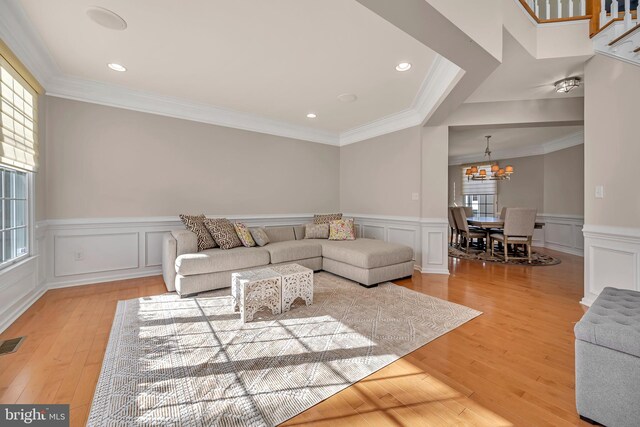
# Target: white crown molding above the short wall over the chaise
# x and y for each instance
(442, 77)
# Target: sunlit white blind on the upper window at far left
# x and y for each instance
(18, 112)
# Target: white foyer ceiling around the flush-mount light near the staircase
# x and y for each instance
(521, 76)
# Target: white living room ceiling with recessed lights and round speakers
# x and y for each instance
(279, 60)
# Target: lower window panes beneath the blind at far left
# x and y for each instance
(14, 231)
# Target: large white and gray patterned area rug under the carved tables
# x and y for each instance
(192, 362)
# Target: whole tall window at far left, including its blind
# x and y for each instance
(18, 159)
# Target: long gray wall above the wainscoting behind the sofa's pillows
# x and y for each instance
(110, 162)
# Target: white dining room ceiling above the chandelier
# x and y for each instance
(510, 142)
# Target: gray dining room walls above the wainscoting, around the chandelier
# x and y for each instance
(552, 183)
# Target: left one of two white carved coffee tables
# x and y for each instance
(251, 290)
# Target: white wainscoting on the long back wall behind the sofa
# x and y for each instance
(94, 250)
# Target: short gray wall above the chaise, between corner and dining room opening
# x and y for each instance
(379, 175)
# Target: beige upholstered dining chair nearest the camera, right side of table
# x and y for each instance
(519, 224)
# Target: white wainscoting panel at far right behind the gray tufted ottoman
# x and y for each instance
(612, 258)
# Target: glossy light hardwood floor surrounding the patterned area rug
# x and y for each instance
(513, 365)
